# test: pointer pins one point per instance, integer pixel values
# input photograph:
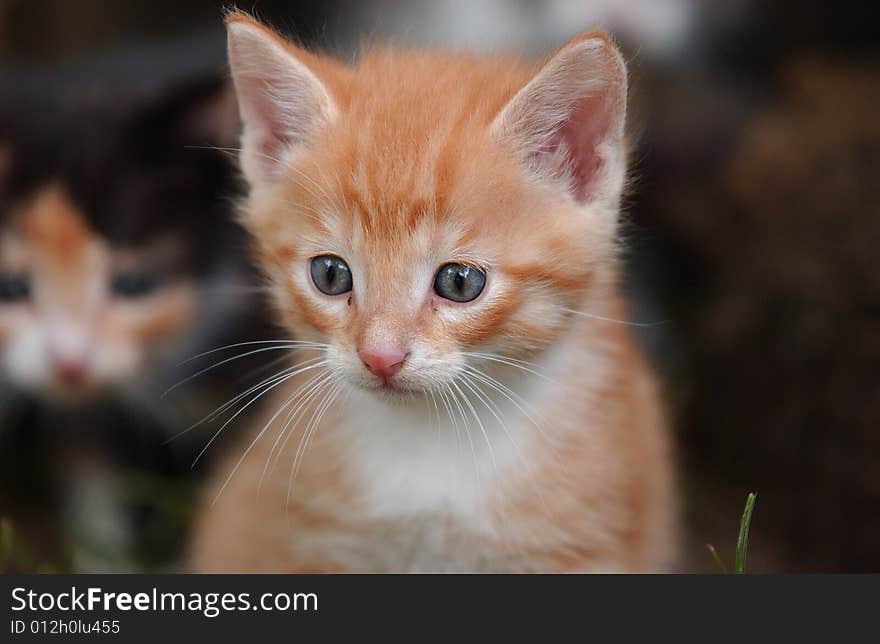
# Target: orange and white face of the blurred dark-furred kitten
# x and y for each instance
(77, 316)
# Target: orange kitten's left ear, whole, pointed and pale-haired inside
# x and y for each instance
(280, 100)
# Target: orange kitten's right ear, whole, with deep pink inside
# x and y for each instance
(568, 121)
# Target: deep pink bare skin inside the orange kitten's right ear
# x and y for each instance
(572, 151)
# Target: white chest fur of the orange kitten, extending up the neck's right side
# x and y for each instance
(454, 459)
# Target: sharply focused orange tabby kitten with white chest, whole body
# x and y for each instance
(441, 230)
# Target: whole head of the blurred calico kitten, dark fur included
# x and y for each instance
(115, 253)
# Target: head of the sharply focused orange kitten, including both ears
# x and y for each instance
(419, 209)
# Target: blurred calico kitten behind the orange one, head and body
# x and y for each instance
(107, 282)
